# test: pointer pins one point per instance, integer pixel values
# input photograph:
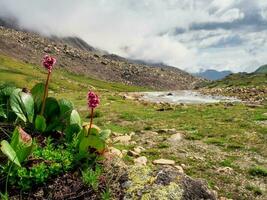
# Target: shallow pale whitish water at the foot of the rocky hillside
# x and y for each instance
(185, 97)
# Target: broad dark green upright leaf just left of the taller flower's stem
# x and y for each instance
(37, 92)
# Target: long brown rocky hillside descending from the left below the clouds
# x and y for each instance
(78, 57)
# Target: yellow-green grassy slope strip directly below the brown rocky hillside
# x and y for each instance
(21, 74)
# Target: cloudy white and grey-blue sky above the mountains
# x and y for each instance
(192, 35)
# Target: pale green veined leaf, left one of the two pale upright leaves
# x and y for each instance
(16, 104)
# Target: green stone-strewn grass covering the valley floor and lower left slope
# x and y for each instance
(216, 135)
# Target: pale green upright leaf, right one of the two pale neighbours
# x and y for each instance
(28, 105)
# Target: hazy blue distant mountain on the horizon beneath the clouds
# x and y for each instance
(211, 74)
